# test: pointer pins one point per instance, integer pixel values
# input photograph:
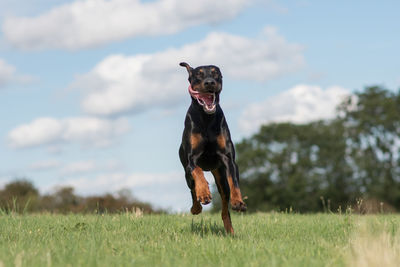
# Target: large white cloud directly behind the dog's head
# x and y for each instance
(120, 84)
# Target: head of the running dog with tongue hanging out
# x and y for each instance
(205, 85)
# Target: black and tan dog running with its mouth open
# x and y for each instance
(207, 145)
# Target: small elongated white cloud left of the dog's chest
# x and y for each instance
(87, 131)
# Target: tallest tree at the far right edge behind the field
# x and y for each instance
(372, 120)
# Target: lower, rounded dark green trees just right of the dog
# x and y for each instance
(291, 166)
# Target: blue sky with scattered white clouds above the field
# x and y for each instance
(92, 94)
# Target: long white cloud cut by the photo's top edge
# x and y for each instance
(88, 23)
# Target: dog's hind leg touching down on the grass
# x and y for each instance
(224, 191)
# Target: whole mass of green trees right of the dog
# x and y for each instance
(291, 166)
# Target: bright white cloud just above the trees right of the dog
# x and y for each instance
(300, 104)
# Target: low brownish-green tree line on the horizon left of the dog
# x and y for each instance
(21, 196)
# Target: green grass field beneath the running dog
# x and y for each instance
(272, 239)
